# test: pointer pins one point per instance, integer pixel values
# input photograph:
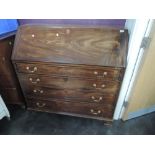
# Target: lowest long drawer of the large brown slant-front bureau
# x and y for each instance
(66, 107)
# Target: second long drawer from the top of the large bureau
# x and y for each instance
(69, 83)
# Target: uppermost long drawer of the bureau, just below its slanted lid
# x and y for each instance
(72, 71)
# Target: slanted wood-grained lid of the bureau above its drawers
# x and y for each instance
(71, 45)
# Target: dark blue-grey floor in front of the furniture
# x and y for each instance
(38, 123)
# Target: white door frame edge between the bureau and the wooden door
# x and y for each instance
(138, 32)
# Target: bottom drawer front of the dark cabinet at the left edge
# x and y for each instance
(11, 95)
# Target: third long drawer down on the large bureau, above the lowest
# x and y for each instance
(70, 94)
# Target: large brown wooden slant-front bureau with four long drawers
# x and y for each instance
(71, 70)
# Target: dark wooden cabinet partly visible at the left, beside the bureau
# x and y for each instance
(9, 85)
